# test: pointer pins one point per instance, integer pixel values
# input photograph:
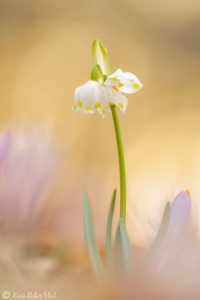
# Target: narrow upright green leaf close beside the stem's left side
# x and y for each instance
(109, 251)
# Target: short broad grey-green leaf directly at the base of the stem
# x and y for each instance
(123, 249)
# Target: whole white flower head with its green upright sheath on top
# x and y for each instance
(105, 89)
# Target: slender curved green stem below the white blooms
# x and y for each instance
(122, 169)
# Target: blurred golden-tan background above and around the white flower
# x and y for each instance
(45, 53)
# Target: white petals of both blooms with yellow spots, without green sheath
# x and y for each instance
(97, 96)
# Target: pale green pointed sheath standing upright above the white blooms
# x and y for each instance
(100, 56)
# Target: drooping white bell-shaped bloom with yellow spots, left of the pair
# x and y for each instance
(90, 97)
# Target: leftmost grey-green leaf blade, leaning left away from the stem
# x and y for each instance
(90, 239)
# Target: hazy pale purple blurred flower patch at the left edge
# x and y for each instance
(27, 163)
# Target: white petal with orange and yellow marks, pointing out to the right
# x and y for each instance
(124, 82)
